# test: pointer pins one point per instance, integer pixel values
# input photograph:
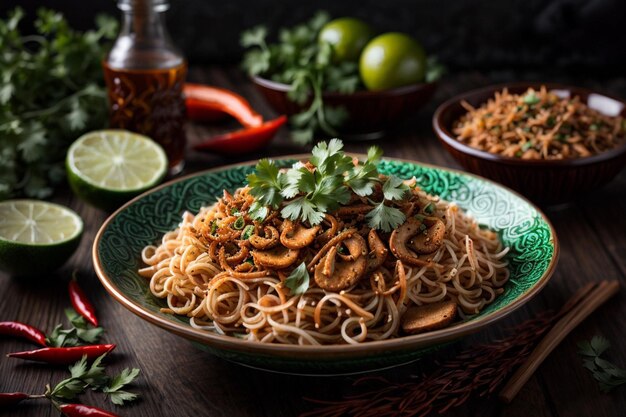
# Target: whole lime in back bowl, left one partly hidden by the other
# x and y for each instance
(348, 36)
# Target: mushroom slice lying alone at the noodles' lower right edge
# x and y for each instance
(427, 317)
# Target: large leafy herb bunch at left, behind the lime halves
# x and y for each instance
(51, 91)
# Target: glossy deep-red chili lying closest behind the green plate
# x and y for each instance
(244, 140)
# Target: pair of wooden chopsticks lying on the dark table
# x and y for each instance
(584, 302)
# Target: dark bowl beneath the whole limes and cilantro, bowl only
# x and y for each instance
(370, 113)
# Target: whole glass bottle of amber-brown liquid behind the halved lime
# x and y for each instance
(145, 73)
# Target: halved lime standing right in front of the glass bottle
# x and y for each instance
(106, 168)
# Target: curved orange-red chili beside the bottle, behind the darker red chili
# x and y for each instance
(206, 103)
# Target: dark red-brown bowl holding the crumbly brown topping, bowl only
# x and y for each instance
(543, 181)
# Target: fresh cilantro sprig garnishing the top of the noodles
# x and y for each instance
(308, 192)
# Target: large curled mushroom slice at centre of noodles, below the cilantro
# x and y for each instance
(333, 273)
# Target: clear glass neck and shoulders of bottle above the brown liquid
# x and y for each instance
(143, 41)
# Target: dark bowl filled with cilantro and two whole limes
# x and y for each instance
(328, 75)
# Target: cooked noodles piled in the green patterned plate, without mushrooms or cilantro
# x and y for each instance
(205, 270)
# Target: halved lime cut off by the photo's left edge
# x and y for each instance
(36, 237)
